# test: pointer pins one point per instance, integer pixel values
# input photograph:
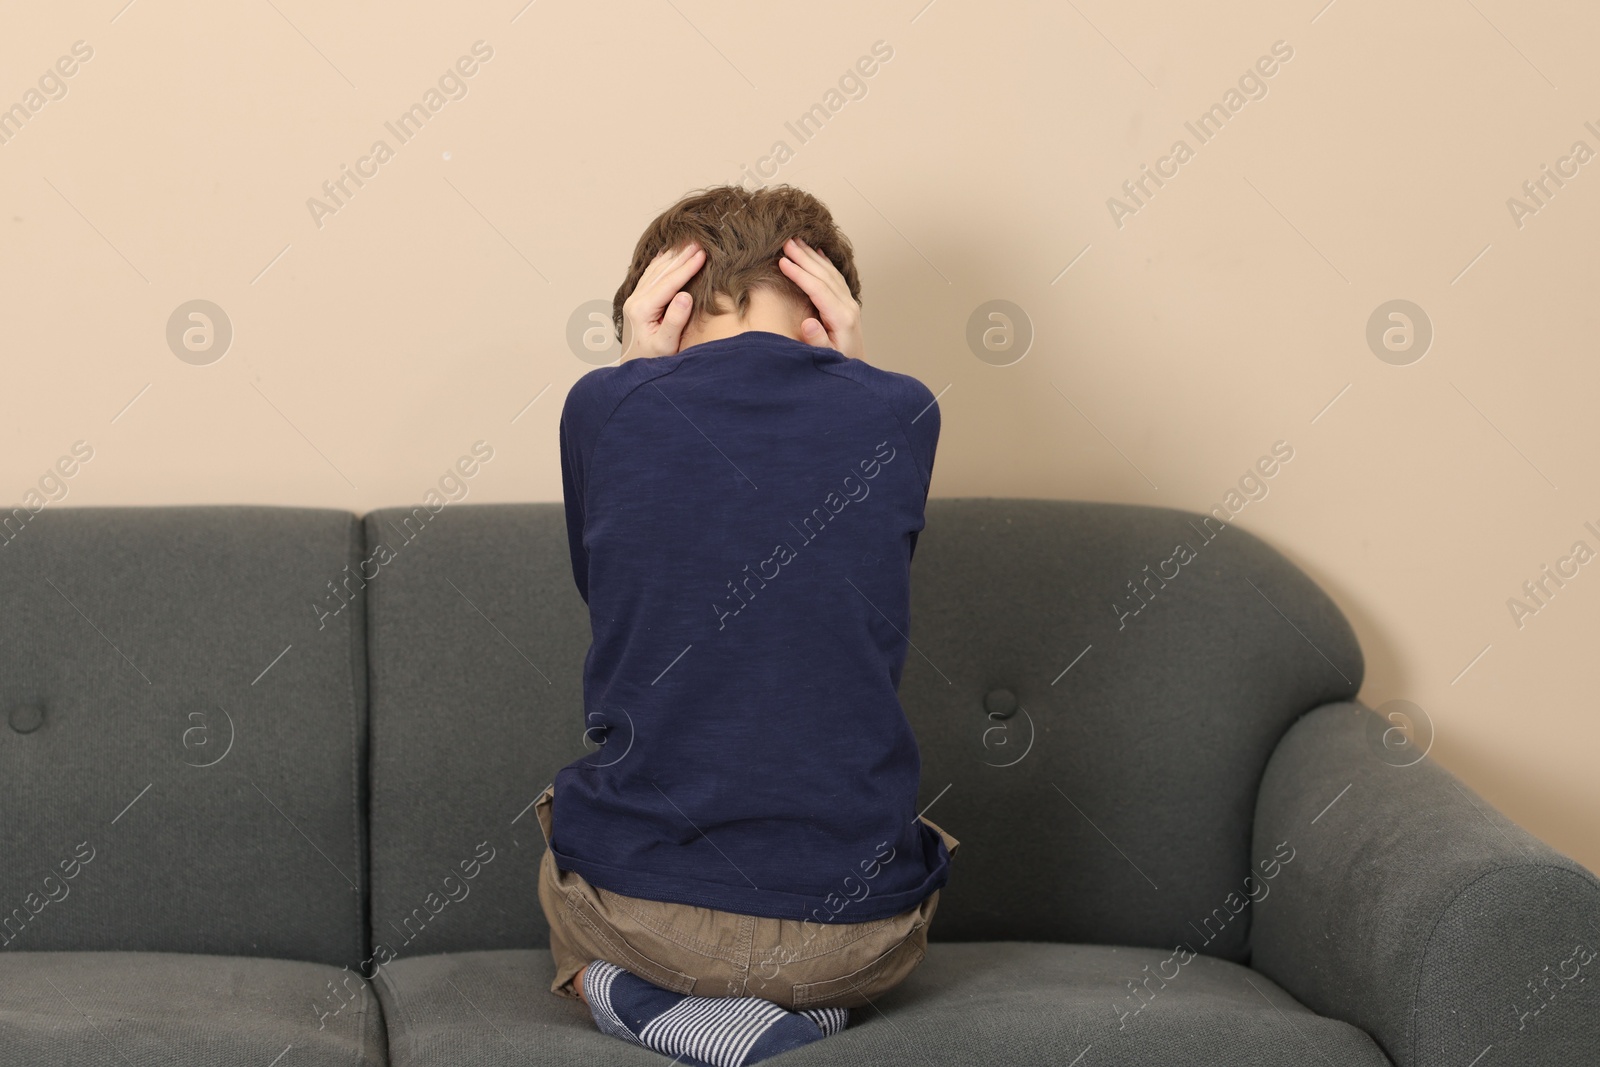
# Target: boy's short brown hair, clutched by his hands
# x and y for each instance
(743, 234)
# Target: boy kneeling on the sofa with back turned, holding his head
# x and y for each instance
(740, 861)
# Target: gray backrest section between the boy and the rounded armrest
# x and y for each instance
(1148, 751)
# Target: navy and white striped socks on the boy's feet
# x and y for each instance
(700, 1031)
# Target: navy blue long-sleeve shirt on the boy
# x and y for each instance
(742, 519)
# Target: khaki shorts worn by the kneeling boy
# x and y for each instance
(722, 954)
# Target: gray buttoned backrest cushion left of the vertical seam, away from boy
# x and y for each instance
(132, 652)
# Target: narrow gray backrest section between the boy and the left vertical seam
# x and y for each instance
(478, 649)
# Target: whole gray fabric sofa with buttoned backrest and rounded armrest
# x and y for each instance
(266, 781)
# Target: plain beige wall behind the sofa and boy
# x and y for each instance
(375, 345)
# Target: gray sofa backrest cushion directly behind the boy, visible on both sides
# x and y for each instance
(1095, 745)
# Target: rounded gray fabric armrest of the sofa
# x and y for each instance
(1414, 909)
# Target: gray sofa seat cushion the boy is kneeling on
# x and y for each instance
(967, 1004)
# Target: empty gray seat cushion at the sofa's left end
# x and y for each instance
(175, 1009)
